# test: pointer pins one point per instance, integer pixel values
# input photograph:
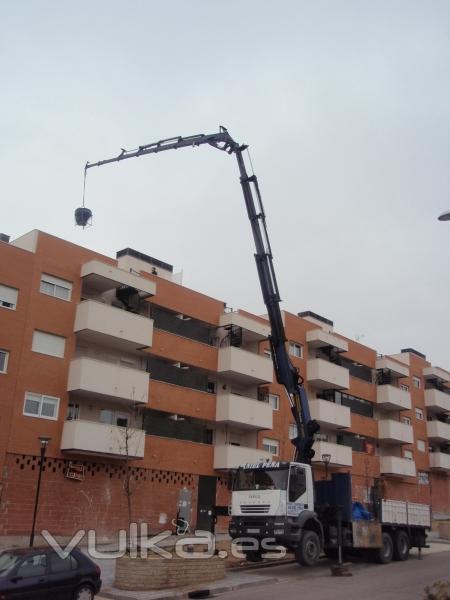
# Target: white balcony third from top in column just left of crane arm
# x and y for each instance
(243, 412)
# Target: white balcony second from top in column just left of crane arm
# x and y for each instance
(243, 366)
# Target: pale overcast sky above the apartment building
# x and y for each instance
(346, 108)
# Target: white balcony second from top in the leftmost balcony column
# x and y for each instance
(105, 324)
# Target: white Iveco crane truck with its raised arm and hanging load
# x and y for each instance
(278, 499)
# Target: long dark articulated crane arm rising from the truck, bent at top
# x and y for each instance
(286, 374)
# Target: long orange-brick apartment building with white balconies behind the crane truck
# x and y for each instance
(122, 366)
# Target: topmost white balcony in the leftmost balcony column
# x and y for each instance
(102, 277)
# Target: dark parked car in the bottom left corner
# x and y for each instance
(40, 573)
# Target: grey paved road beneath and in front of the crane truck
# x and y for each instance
(396, 581)
